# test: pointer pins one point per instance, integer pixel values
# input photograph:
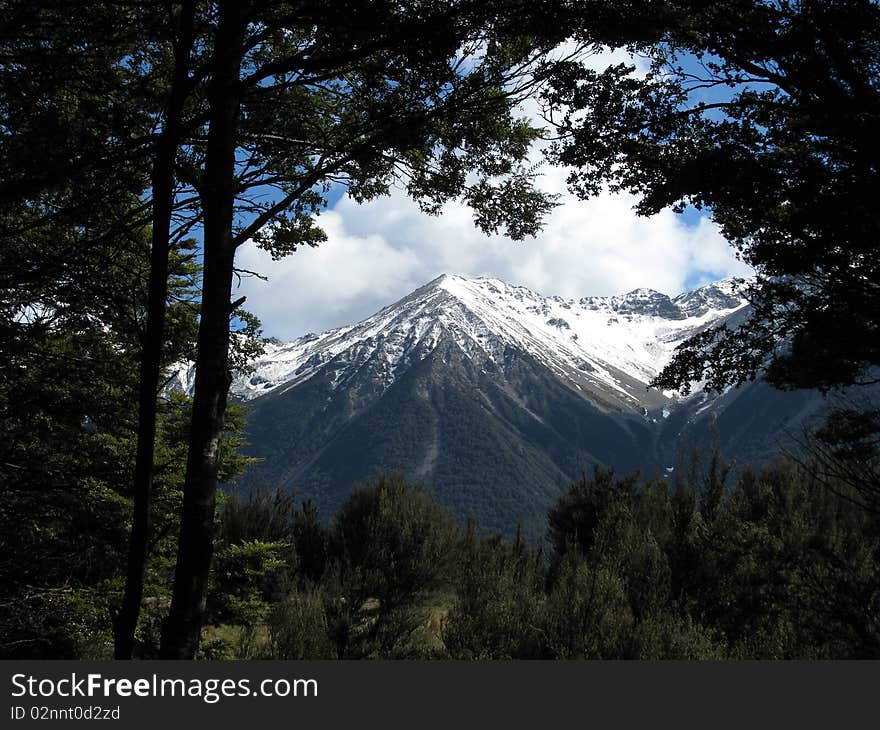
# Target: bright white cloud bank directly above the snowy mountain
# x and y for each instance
(381, 251)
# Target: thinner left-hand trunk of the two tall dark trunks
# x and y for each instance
(162, 184)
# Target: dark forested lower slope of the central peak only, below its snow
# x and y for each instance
(472, 432)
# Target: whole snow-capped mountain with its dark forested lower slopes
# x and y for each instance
(495, 397)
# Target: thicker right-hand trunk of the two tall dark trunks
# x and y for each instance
(180, 635)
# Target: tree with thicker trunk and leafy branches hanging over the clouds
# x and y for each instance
(301, 97)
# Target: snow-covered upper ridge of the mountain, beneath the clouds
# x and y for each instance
(605, 347)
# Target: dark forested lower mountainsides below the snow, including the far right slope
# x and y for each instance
(499, 448)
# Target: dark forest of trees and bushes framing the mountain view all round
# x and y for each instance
(142, 143)
